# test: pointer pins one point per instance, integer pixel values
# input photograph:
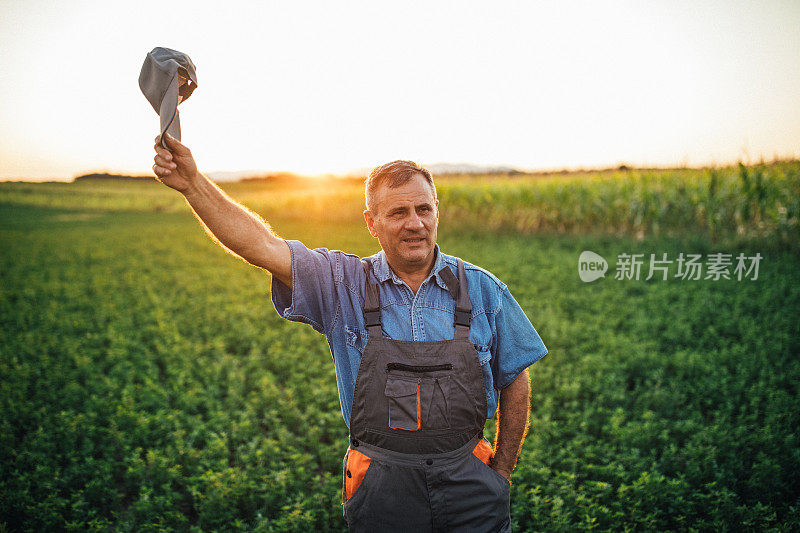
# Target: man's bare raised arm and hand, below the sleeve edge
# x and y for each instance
(229, 223)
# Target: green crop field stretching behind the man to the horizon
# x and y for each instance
(146, 382)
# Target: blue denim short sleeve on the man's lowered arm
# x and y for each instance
(516, 344)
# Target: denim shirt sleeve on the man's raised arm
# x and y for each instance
(312, 298)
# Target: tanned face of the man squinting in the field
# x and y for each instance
(404, 220)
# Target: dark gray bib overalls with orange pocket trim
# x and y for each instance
(417, 459)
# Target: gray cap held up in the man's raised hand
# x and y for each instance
(167, 78)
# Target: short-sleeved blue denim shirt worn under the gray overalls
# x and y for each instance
(328, 293)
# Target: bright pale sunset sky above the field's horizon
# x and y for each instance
(318, 87)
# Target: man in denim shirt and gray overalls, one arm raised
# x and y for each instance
(421, 343)
